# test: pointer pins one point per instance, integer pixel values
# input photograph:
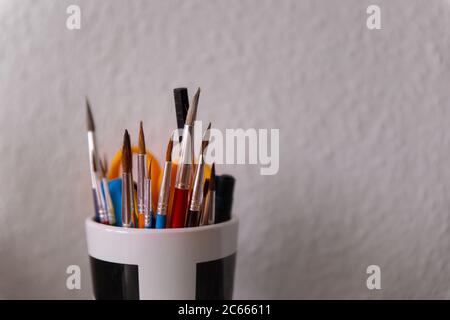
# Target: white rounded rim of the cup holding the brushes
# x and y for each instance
(91, 223)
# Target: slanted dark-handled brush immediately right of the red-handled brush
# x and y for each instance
(196, 195)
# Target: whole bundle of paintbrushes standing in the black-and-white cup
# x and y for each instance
(184, 191)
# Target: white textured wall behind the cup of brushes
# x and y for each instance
(363, 117)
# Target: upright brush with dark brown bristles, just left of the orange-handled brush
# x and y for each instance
(127, 183)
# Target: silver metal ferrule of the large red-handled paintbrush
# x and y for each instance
(184, 172)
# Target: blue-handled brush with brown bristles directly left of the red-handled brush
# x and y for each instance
(164, 191)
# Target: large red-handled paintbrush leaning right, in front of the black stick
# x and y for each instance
(184, 168)
